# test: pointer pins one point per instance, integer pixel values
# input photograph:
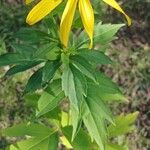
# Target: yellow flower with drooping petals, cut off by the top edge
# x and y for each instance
(44, 7)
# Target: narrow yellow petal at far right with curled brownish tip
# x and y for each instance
(115, 5)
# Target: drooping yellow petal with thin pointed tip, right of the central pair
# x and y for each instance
(87, 16)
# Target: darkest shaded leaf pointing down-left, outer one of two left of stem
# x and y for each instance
(35, 82)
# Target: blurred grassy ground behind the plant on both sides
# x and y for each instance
(131, 52)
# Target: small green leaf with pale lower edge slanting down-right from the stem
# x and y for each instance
(83, 66)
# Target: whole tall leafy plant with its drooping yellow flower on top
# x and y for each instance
(69, 94)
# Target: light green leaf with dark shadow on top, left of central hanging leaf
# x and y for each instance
(50, 98)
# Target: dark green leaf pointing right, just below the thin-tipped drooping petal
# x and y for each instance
(95, 56)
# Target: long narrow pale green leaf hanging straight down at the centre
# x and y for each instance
(74, 86)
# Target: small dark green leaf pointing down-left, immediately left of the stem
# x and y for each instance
(49, 70)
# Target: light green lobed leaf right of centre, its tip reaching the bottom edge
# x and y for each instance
(95, 114)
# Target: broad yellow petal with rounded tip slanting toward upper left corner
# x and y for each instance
(43, 8)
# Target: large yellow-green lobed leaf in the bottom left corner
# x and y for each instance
(41, 137)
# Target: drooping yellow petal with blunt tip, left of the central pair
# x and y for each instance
(66, 21)
